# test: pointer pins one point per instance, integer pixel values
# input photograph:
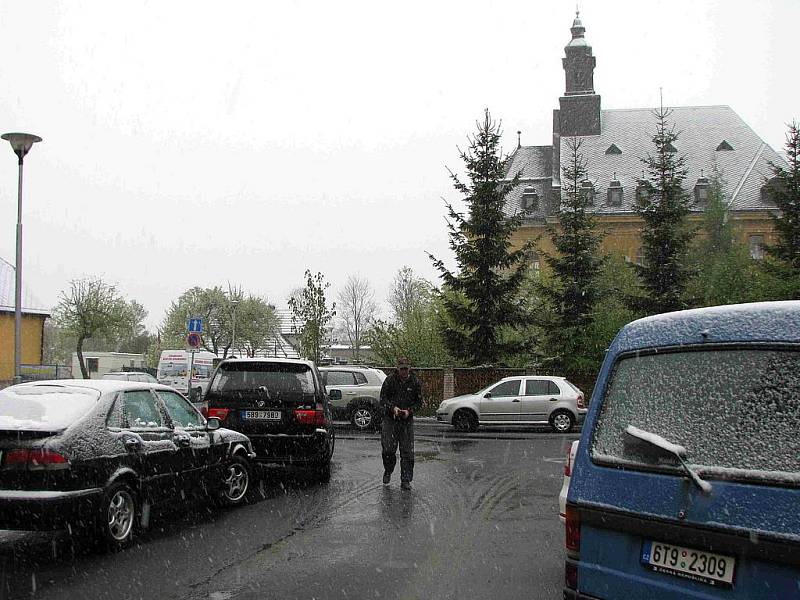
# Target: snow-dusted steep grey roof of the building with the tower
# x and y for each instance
(701, 131)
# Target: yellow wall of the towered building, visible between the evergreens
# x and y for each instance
(623, 232)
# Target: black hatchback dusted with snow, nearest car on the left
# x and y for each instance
(94, 456)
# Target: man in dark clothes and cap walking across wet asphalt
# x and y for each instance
(401, 396)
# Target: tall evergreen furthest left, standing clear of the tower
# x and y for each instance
(481, 298)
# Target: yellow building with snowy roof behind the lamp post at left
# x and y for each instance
(33, 318)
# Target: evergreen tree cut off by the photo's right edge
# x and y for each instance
(784, 191)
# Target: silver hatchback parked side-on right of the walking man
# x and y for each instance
(521, 400)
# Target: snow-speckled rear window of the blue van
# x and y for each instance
(736, 411)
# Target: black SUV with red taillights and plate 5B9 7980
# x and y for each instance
(281, 405)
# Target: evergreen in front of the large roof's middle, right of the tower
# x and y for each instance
(664, 207)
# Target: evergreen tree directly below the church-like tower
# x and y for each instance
(571, 292)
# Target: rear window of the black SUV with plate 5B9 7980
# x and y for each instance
(281, 379)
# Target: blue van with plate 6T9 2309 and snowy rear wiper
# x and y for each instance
(686, 483)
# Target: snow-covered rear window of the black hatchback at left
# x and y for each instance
(43, 408)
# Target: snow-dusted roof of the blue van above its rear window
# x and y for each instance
(767, 322)
